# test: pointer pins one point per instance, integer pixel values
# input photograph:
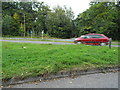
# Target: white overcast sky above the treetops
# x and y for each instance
(78, 6)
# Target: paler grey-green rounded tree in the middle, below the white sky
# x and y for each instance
(59, 23)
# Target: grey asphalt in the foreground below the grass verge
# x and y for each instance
(99, 80)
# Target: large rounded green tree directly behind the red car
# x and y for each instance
(100, 18)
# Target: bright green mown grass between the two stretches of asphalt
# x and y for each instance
(39, 59)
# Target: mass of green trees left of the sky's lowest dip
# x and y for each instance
(34, 16)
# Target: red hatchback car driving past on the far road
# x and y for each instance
(92, 39)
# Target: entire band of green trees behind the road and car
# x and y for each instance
(20, 18)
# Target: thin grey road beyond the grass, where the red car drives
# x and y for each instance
(47, 42)
